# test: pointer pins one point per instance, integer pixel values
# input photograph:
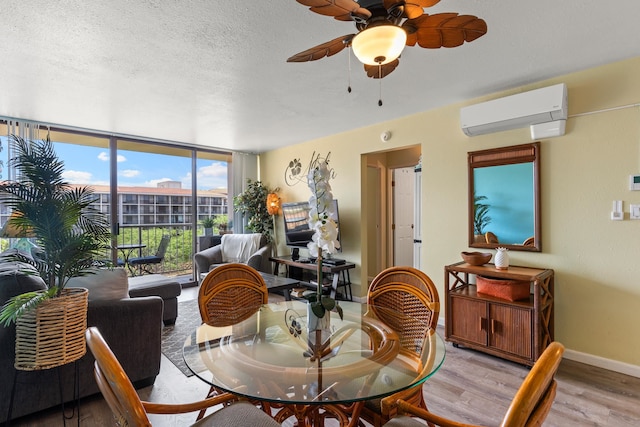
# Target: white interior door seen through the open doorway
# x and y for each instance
(403, 207)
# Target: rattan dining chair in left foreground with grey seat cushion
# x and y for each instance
(129, 410)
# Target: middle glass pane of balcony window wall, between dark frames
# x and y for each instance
(155, 200)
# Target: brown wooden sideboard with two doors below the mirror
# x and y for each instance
(515, 330)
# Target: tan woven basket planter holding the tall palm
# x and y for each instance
(53, 333)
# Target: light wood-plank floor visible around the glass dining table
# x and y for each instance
(470, 387)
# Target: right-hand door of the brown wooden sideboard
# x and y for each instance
(511, 329)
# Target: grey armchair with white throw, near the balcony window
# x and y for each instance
(250, 249)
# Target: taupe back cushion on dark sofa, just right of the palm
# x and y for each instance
(105, 284)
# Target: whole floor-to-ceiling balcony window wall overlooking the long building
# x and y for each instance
(146, 188)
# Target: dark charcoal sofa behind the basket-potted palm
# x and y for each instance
(131, 326)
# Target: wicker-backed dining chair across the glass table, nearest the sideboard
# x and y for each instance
(410, 292)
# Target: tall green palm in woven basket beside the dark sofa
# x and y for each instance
(69, 234)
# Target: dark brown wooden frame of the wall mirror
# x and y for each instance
(525, 153)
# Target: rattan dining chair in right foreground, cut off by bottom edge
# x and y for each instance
(529, 407)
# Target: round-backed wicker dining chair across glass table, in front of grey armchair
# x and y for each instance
(229, 294)
